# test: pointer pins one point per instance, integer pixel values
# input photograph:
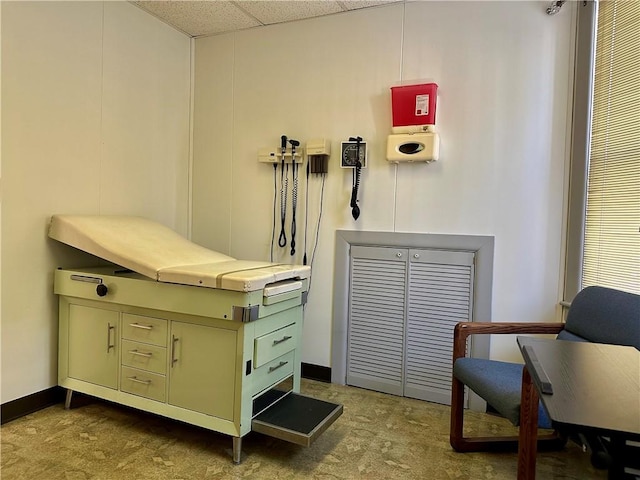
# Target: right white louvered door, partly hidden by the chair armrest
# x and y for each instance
(440, 294)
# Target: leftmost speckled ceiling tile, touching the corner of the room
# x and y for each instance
(200, 18)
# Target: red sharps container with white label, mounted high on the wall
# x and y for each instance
(413, 105)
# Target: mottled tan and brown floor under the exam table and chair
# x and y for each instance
(378, 436)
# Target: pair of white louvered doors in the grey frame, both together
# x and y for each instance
(403, 307)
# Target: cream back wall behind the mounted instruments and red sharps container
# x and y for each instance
(504, 71)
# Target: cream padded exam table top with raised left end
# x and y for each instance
(157, 252)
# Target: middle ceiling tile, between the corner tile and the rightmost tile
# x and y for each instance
(283, 11)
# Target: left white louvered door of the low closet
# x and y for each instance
(375, 352)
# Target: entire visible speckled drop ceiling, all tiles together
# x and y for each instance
(211, 17)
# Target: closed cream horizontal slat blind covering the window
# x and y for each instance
(612, 228)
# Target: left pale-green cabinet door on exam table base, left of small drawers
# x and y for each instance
(93, 345)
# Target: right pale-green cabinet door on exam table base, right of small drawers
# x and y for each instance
(203, 369)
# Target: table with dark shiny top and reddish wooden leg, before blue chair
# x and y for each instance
(595, 388)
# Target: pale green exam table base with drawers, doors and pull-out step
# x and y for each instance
(177, 351)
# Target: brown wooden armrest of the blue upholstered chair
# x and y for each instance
(464, 329)
